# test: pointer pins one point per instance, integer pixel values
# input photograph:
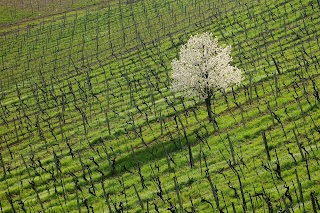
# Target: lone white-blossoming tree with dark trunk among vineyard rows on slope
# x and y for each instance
(203, 68)
